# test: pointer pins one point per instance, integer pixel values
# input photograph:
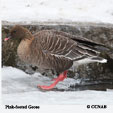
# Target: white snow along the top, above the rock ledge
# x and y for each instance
(57, 10)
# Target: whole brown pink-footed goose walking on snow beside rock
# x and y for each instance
(54, 50)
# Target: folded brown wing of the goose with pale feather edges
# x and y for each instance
(60, 44)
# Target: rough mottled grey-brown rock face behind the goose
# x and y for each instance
(101, 33)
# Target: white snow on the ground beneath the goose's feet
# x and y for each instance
(20, 88)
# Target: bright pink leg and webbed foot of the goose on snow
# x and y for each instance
(61, 77)
